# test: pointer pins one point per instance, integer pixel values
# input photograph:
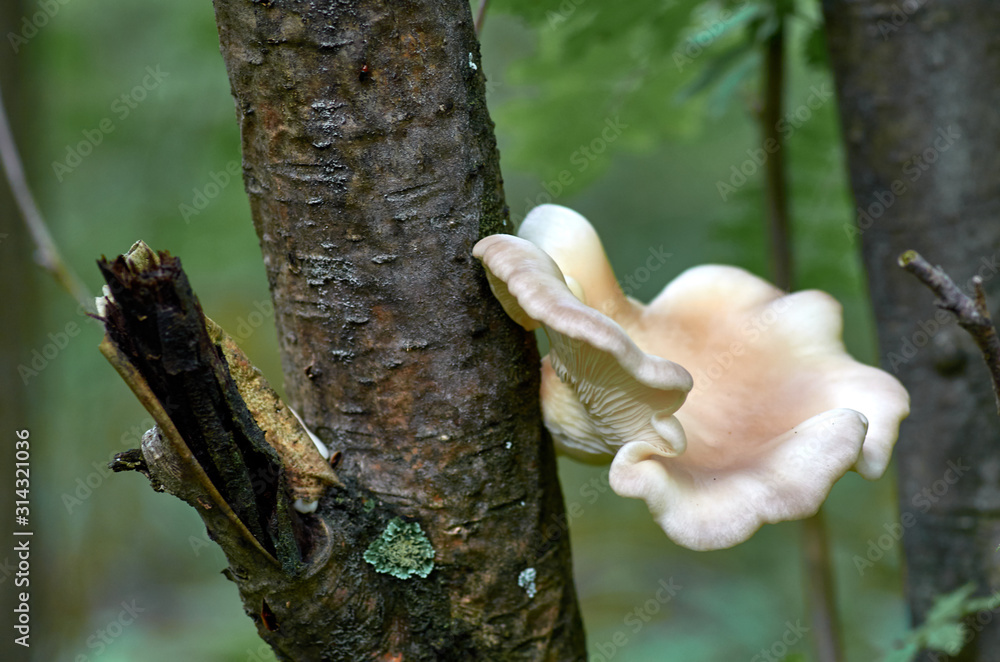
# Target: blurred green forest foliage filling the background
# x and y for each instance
(611, 108)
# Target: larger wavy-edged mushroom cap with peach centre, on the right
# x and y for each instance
(778, 413)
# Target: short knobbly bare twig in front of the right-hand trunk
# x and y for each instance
(972, 314)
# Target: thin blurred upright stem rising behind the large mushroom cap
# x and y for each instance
(820, 589)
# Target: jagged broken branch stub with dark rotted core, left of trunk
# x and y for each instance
(224, 441)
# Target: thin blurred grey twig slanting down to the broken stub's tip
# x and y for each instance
(46, 253)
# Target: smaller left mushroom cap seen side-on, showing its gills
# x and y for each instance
(617, 392)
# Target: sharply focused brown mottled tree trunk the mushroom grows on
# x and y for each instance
(372, 170)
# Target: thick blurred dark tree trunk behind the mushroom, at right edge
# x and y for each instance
(918, 90)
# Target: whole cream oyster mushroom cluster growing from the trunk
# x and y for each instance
(778, 410)
